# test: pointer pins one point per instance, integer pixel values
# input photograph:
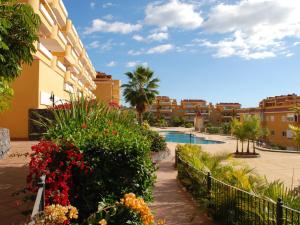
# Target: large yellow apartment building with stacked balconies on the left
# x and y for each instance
(61, 67)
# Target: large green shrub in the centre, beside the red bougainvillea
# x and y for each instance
(113, 146)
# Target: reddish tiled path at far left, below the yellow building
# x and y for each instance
(13, 172)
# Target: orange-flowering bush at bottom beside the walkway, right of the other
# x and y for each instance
(129, 210)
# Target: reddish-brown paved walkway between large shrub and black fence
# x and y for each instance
(171, 201)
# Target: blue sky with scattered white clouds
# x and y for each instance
(220, 51)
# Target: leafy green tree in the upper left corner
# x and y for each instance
(18, 32)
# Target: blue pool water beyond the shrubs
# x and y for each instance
(174, 136)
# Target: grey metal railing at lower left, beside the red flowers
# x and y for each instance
(39, 204)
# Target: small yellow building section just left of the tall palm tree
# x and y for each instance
(107, 90)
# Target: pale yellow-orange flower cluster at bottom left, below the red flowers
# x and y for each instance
(57, 215)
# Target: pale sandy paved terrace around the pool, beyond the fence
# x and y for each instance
(283, 166)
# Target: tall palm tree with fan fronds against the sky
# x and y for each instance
(141, 89)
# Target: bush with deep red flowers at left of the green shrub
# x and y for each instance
(58, 163)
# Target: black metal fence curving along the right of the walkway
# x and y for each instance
(231, 205)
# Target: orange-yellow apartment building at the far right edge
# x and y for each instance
(276, 114)
